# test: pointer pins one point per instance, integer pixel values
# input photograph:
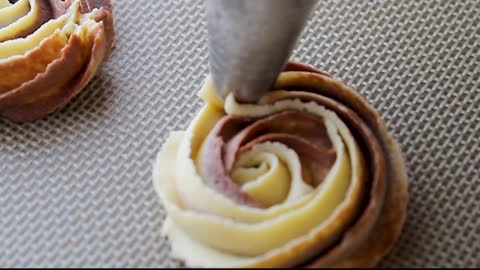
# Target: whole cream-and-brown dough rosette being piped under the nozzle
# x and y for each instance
(308, 176)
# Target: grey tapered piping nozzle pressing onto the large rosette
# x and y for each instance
(250, 42)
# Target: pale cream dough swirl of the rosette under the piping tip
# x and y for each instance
(207, 229)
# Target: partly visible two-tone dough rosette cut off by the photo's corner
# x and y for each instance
(49, 50)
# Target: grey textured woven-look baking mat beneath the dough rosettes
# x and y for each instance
(76, 188)
